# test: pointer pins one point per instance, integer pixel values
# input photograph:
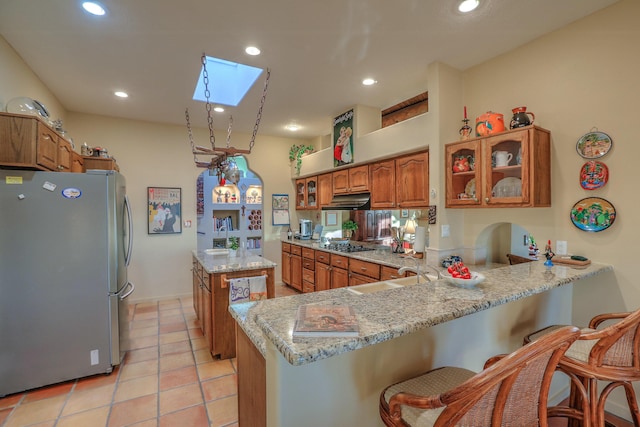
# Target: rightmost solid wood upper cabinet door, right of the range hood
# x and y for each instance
(412, 175)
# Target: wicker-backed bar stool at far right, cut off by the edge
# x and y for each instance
(604, 352)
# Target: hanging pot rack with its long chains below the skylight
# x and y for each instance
(221, 163)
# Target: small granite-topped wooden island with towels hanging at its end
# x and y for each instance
(212, 271)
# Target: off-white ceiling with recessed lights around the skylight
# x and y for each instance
(318, 51)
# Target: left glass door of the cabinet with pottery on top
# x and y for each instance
(463, 171)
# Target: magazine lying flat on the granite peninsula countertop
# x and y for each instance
(314, 320)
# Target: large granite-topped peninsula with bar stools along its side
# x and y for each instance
(403, 331)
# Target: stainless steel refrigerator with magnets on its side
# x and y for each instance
(65, 244)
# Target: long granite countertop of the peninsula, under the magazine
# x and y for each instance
(392, 313)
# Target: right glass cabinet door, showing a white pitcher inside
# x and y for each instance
(506, 174)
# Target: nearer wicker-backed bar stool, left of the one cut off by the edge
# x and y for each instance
(511, 391)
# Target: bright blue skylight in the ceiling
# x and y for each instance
(229, 81)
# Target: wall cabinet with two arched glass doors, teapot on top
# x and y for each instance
(509, 169)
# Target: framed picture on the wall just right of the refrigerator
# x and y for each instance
(164, 210)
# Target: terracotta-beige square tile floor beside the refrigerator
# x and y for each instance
(168, 378)
